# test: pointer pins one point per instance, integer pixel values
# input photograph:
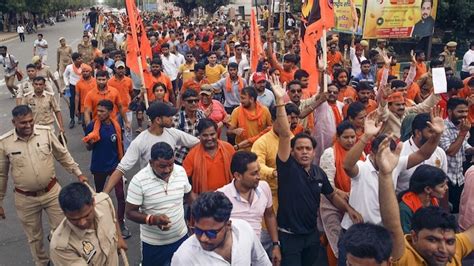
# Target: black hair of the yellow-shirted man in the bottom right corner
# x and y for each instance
(431, 218)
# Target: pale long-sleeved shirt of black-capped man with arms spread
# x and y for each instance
(140, 148)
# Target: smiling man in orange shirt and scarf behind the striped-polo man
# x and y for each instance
(208, 164)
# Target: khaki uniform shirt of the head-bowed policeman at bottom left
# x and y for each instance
(73, 246)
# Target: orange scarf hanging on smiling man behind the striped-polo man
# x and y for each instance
(200, 168)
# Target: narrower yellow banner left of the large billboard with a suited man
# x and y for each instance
(344, 16)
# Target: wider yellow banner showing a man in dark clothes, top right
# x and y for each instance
(399, 18)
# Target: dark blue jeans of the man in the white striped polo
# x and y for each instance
(159, 255)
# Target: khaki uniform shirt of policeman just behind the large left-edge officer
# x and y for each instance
(44, 107)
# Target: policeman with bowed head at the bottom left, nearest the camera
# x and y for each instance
(86, 235)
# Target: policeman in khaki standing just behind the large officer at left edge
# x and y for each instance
(43, 104)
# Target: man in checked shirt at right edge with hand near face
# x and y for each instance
(454, 142)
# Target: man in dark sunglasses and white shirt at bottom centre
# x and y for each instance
(217, 239)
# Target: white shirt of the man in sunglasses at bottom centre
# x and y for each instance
(246, 250)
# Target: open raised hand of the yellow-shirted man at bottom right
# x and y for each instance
(386, 159)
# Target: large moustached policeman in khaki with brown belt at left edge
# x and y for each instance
(29, 150)
